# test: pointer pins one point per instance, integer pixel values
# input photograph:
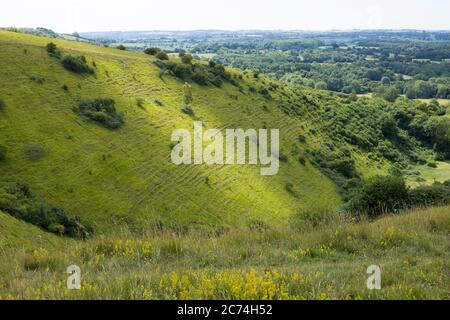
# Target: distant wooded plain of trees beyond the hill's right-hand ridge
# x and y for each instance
(361, 68)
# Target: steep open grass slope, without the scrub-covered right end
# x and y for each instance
(124, 178)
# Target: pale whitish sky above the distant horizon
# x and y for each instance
(132, 15)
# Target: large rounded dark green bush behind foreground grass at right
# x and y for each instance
(381, 194)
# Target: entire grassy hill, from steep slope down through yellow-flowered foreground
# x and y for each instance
(218, 228)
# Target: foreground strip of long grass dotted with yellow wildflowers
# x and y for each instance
(328, 262)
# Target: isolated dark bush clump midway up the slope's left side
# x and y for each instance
(102, 111)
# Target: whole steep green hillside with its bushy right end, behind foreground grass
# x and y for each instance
(124, 180)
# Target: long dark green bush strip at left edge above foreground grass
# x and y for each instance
(18, 201)
